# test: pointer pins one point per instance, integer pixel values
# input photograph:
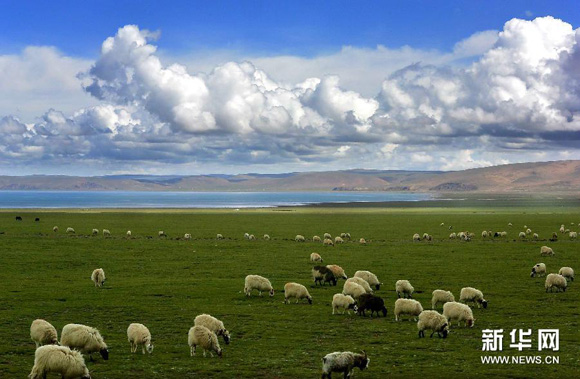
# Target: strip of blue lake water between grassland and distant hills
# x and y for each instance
(128, 199)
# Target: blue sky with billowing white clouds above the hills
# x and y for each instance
(197, 87)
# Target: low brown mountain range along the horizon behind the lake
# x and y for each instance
(559, 176)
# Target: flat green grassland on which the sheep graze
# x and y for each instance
(165, 282)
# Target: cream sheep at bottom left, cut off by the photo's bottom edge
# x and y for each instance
(58, 359)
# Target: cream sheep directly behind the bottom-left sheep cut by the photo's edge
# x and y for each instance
(84, 338)
